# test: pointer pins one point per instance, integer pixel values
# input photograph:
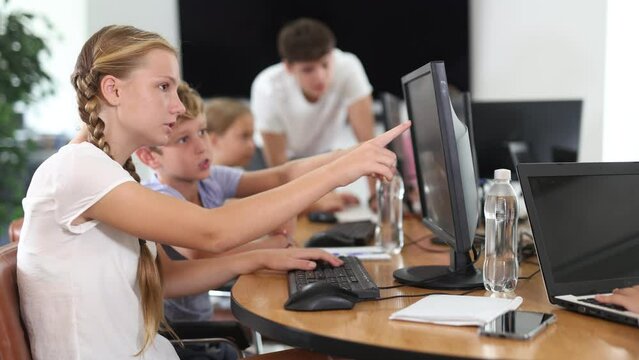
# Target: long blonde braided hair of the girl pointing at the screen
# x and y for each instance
(117, 51)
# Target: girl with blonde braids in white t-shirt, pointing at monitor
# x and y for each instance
(90, 287)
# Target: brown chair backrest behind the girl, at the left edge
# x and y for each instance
(14, 344)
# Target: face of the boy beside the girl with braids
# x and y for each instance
(187, 155)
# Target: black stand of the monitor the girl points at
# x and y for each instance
(460, 275)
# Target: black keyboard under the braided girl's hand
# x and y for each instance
(350, 276)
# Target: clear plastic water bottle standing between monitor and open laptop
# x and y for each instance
(500, 210)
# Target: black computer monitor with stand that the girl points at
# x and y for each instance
(446, 180)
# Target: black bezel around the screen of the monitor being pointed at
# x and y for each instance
(460, 241)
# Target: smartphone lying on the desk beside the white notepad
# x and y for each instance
(522, 325)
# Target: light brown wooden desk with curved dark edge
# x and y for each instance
(365, 331)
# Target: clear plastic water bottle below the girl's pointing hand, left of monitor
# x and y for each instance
(389, 232)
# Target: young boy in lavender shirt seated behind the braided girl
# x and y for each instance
(184, 169)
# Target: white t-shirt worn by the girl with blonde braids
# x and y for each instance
(78, 291)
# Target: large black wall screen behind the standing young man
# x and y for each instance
(226, 43)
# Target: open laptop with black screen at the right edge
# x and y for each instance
(585, 223)
